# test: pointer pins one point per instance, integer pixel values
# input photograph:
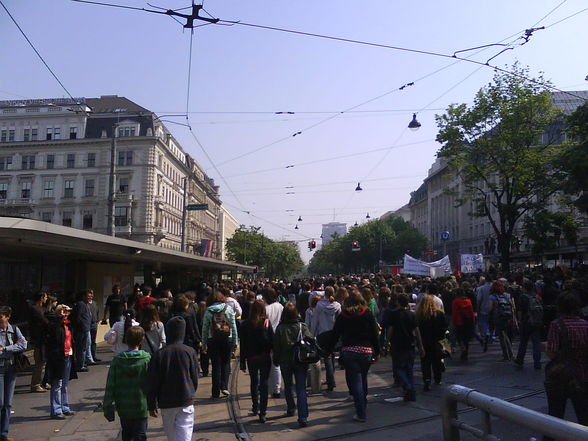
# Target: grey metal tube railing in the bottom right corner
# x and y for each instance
(490, 406)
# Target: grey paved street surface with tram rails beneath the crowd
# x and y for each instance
(330, 413)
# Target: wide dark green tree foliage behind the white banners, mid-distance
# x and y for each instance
(392, 235)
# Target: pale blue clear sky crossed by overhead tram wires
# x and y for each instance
(350, 111)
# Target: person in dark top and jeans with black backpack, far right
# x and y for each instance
(531, 320)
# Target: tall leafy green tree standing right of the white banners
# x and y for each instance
(494, 147)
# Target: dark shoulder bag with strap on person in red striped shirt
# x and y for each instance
(560, 374)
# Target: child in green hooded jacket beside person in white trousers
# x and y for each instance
(125, 388)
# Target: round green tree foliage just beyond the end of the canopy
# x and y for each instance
(274, 259)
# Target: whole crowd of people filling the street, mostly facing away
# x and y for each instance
(162, 343)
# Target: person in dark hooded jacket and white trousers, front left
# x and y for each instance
(172, 381)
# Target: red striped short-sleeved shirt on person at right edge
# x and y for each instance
(577, 330)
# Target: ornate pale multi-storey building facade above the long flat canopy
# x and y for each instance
(103, 164)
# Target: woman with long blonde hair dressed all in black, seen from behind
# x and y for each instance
(432, 327)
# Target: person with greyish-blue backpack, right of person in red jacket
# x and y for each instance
(502, 311)
